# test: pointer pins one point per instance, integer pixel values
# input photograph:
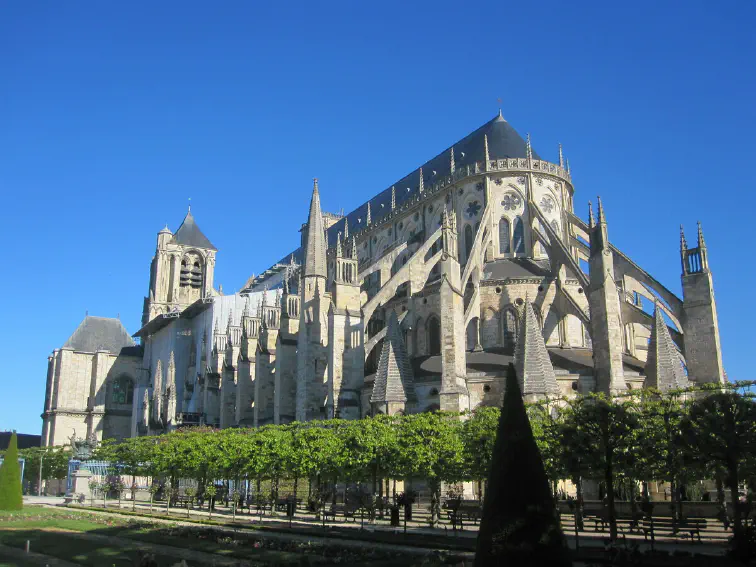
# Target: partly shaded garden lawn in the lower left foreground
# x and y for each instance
(49, 532)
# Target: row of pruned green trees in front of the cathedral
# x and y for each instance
(677, 437)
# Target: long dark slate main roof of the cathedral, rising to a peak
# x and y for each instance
(503, 142)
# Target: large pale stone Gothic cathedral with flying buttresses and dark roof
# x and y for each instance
(415, 301)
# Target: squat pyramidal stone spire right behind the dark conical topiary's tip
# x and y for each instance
(532, 361)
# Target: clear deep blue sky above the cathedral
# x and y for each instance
(113, 114)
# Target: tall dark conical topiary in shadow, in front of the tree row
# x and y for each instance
(519, 524)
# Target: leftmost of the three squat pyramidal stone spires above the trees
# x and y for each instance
(393, 379)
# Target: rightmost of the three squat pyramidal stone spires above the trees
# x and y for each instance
(663, 366)
